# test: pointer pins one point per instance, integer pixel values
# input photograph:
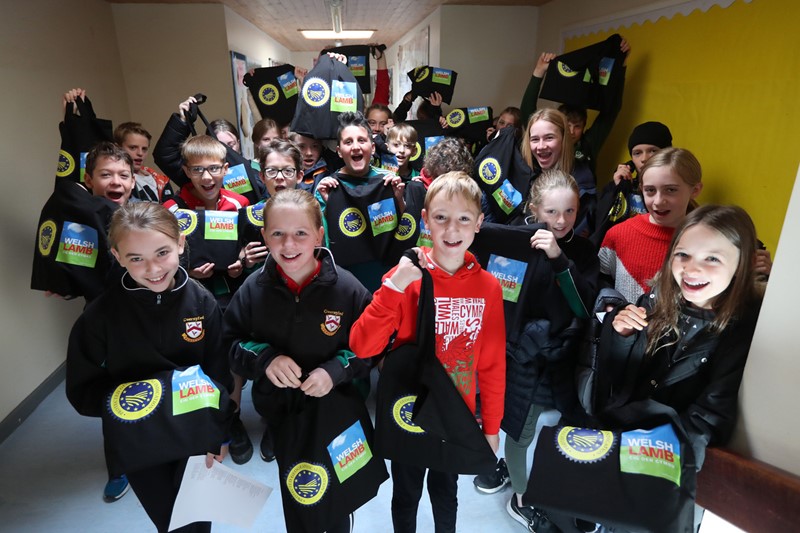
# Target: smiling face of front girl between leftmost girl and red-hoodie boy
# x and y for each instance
(291, 237)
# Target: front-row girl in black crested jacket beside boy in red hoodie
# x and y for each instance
(288, 326)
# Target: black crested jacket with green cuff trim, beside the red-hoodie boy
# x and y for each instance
(265, 319)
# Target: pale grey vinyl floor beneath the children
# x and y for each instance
(52, 475)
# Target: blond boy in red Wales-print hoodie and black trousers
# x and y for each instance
(470, 332)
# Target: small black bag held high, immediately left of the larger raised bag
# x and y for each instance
(274, 91)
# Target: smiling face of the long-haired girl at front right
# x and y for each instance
(703, 265)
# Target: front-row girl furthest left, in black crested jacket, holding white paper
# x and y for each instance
(139, 327)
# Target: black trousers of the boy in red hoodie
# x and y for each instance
(442, 490)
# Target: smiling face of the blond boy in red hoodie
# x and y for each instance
(453, 222)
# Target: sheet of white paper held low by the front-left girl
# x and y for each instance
(217, 494)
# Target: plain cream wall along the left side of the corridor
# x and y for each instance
(46, 48)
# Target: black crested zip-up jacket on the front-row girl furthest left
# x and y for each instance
(129, 333)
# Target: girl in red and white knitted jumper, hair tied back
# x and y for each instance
(632, 252)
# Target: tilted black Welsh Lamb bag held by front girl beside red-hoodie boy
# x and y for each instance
(324, 448)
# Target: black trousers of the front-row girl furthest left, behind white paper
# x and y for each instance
(157, 487)
